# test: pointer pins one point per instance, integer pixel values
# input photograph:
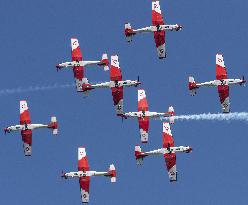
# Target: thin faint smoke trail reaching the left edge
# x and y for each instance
(34, 88)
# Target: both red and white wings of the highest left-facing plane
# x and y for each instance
(78, 71)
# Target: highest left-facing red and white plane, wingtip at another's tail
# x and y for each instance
(77, 64)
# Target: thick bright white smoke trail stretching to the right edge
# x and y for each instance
(239, 116)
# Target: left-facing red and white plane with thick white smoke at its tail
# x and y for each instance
(144, 115)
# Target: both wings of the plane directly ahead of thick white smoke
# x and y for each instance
(143, 121)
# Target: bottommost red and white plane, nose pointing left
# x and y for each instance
(84, 174)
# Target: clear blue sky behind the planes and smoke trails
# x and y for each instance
(35, 36)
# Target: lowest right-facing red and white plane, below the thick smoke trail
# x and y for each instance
(168, 151)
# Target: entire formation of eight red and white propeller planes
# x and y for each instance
(117, 84)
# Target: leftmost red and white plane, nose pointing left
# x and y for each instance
(26, 127)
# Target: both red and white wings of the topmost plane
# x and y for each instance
(159, 36)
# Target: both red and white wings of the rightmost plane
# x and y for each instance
(223, 90)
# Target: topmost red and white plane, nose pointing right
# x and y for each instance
(158, 29)
